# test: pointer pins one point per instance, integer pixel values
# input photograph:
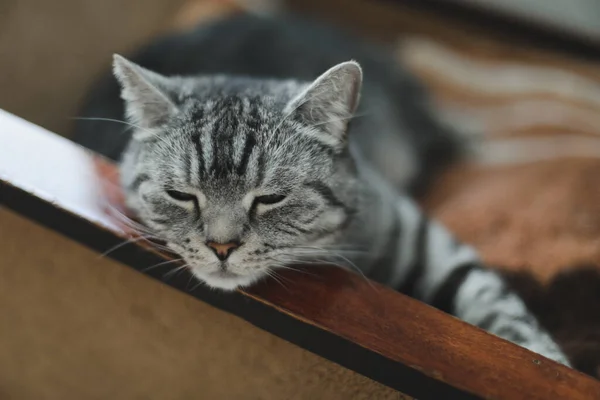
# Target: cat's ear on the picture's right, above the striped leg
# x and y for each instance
(330, 101)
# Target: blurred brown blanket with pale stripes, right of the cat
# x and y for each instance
(529, 199)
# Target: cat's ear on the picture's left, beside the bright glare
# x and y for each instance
(147, 101)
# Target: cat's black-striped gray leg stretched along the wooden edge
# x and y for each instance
(450, 276)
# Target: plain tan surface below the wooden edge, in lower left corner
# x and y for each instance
(73, 326)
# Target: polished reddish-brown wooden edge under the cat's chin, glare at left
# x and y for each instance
(338, 315)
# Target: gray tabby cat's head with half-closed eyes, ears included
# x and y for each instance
(240, 176)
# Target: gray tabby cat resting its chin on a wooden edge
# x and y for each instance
(261, 165)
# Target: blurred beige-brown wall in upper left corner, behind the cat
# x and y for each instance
(50, 50)
